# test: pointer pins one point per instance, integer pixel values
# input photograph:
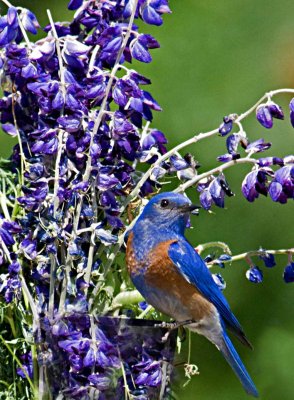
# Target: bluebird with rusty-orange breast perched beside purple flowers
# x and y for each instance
(174, 279)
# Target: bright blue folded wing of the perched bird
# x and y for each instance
(193, 268)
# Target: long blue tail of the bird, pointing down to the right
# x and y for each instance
(232, 357)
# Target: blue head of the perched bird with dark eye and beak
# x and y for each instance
(169, 210)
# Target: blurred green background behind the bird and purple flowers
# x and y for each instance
(219, 57)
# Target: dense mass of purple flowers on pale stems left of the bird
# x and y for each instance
(81, 116)
